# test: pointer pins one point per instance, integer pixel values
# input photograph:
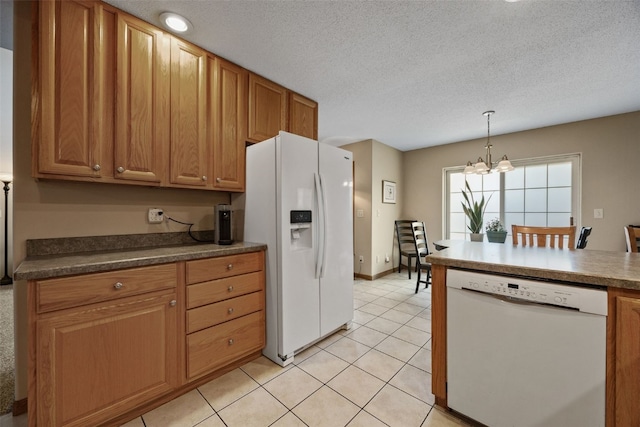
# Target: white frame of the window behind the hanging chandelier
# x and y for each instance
(576, 186)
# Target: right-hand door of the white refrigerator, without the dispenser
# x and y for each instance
(336, 282)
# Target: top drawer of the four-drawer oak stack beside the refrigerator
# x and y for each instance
(217, 268)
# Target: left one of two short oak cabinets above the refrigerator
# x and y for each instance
(267, 108)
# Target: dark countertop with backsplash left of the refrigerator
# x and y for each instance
(58, 257)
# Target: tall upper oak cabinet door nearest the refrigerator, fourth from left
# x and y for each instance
(228, 123)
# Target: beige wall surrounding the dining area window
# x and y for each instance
(610, 148)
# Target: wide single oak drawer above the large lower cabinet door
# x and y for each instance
(54, 294)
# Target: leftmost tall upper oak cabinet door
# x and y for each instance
(71, 84)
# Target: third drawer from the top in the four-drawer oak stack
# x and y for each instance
(212, 314)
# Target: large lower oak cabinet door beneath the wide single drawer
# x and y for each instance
(97, 362)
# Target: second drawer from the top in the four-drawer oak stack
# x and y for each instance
(222, 289)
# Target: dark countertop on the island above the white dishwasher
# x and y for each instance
(581, 266)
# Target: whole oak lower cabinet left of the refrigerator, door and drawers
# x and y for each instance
(107, 347)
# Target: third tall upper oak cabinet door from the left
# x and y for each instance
(189, 154)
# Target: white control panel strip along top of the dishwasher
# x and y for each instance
(583, 299)
